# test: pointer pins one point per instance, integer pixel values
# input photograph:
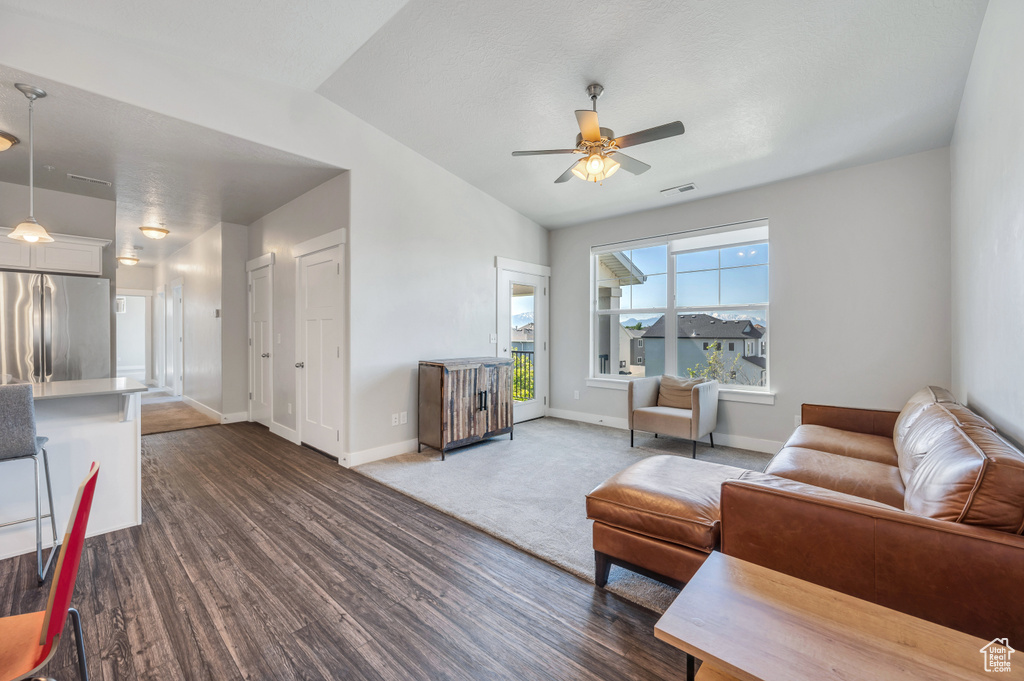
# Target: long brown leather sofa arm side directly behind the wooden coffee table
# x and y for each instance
(958, 576)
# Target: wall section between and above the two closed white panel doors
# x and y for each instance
(321, 210)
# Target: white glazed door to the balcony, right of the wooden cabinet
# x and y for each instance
(523, 335)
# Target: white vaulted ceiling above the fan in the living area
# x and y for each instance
(767, 91)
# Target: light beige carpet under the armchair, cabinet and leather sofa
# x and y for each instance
(532, 492)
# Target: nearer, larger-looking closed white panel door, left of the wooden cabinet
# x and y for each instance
(319, 350)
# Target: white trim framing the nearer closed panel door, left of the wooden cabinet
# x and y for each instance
(316, 245)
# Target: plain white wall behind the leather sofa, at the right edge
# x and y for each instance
(988, 160)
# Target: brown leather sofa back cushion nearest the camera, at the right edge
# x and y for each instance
(970, 476)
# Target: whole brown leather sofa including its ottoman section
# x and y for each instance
(920, 510)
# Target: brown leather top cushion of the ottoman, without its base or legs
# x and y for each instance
(667, 498)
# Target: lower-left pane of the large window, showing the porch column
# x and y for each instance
(624, 349)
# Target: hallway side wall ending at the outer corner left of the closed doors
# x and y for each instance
(199, 265)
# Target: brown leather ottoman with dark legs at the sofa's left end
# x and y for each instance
(662, 514)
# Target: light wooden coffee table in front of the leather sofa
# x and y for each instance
(753, 624)
